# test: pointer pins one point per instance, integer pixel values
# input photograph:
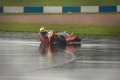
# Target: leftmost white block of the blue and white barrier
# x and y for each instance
(9, 9)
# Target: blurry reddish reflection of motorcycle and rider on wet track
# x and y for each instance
(54, 51)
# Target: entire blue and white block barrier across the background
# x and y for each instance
(59, 9)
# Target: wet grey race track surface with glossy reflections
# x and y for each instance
(22, 57)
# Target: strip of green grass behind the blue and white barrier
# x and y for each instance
(57, 2)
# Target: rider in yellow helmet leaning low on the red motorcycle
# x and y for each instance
(49, 35)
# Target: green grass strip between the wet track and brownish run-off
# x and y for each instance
(79, 29)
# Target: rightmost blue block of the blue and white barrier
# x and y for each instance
(108, 9)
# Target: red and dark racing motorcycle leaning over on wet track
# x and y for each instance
(59, 39)
